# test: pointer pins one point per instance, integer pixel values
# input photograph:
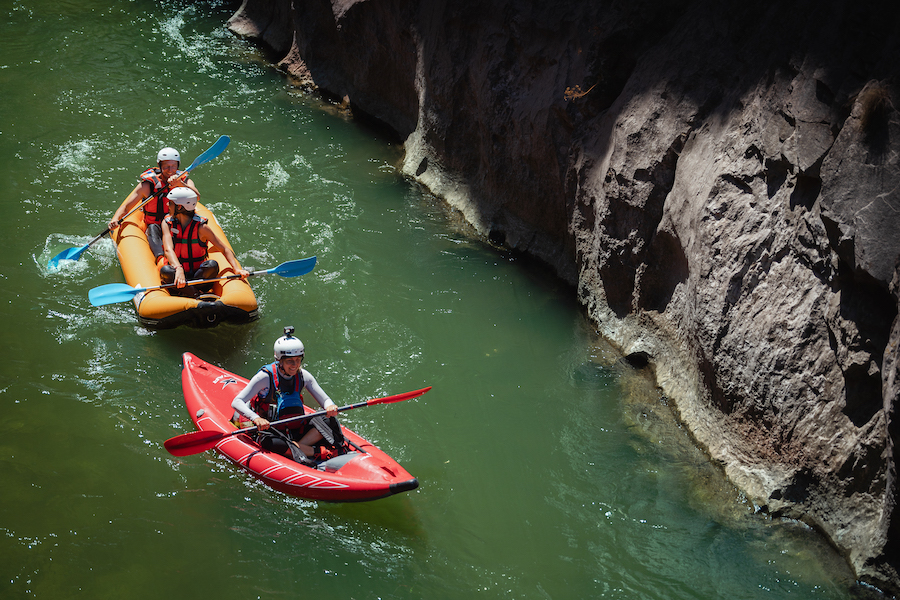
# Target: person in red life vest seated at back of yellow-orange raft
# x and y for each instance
(155, 183)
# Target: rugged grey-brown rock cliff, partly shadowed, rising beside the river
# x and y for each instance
(719, 179)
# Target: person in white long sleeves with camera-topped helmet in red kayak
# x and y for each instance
(276, 392)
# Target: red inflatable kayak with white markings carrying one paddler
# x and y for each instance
(363, 473)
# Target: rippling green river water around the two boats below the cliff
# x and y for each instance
(547, 470)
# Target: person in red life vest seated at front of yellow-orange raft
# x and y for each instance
(186, 240)
